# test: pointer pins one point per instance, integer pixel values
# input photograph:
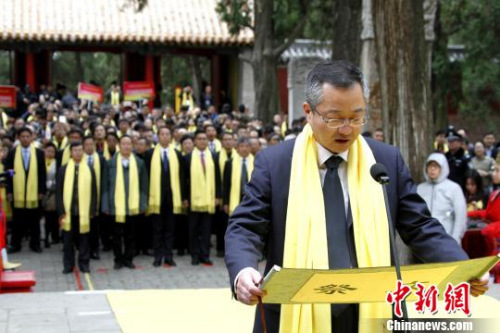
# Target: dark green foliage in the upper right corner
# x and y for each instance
(473, 24)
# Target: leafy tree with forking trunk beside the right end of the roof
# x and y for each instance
(276, 25)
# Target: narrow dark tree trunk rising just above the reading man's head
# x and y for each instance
(346, 42)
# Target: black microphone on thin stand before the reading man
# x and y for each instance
(378, 172)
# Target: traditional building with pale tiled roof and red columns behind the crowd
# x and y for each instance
(32, 30)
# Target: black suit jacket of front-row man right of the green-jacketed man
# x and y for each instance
(166, 189)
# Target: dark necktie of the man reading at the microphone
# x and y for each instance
(336, 222)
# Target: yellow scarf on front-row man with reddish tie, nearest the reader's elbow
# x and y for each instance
(202, 183)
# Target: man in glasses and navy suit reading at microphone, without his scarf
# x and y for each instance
(335, 108)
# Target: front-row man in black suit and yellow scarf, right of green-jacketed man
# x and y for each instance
(167, 195)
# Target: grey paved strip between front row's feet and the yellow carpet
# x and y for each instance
(48, 269)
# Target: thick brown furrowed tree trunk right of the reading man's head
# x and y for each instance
(404, 77)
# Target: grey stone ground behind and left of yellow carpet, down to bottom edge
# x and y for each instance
(58, 306)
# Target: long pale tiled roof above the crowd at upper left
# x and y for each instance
(161, 21)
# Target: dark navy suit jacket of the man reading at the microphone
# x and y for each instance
(260, 220)
